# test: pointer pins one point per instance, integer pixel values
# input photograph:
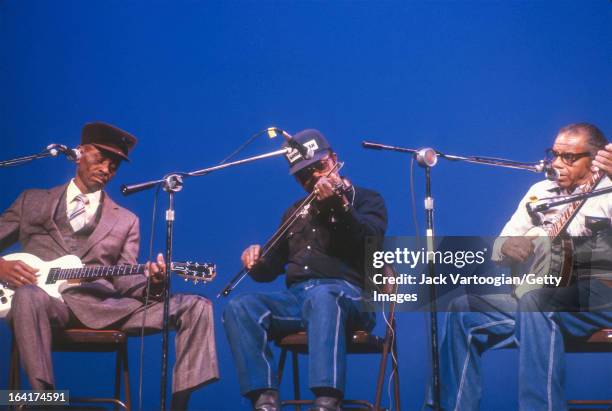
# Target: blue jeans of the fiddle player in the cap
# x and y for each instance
(326, 308)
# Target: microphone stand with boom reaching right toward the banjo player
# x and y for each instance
(428, 158)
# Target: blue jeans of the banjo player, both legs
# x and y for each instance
(480, 323)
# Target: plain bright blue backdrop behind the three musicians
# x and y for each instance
(193, 79)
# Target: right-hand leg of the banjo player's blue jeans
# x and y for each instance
(542, 333)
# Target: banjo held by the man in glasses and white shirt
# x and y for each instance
(553, 247)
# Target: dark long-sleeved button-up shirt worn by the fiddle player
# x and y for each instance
(330, 243)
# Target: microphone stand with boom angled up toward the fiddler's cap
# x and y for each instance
(173, 183)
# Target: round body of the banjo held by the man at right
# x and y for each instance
(550, 257)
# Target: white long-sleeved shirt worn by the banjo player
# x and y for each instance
(520, 222)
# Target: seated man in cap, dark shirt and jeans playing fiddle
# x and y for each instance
(323, 258)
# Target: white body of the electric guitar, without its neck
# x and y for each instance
(51, 288)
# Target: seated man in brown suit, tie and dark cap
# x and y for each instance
(80, 218)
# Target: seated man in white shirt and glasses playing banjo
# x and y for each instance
(540, 319)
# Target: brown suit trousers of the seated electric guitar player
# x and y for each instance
(35, 316)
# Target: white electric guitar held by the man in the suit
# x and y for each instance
(68, 271)
